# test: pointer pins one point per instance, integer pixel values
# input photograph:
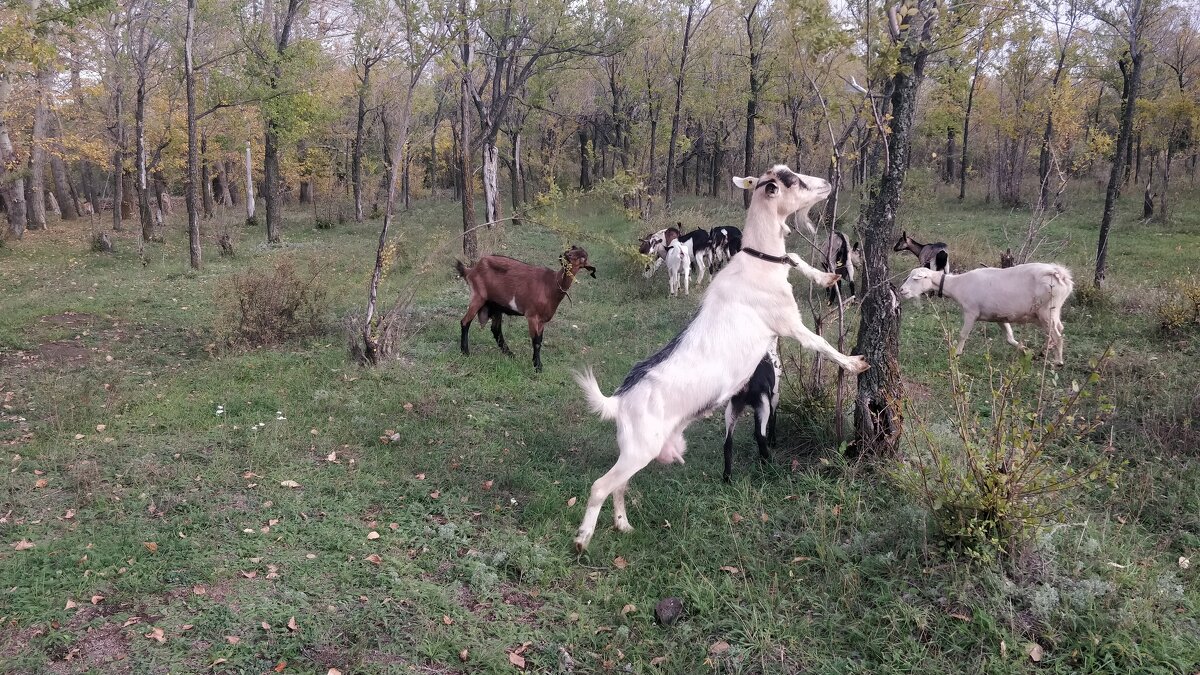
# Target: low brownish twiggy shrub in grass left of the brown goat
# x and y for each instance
(273, 307)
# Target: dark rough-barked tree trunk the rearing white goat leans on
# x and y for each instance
(878, 415)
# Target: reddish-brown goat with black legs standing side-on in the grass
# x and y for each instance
(501, 285)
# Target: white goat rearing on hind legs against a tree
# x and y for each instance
(747, 307)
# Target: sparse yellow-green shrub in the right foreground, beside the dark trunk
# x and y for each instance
(992, 477)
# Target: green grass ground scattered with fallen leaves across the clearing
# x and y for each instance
(837, 571)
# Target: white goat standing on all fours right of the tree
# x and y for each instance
(1027, 294)
